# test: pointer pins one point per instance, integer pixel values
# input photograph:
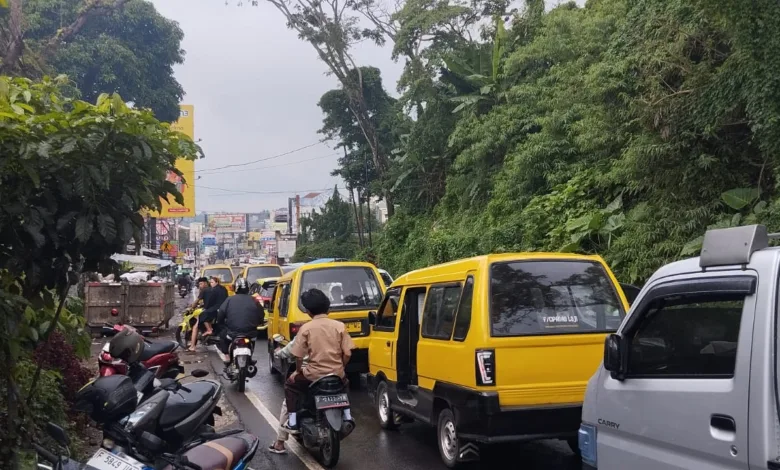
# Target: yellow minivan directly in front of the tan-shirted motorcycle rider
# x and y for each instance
(354, 289)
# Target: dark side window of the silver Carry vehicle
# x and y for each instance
(687, 336)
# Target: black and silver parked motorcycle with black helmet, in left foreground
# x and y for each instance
(185, 414)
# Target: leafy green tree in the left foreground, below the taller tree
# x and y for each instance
(73, 180)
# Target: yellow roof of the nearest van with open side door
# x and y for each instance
(441, 272)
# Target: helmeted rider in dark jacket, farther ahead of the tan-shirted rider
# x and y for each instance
(238, 315)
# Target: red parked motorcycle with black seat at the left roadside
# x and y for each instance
(159, 357)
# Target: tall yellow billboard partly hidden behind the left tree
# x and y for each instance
(185, 125)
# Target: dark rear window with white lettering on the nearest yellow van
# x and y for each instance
(552, 297)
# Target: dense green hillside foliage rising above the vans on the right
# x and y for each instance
(623, 128)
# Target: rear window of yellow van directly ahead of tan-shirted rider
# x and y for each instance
(348, 288)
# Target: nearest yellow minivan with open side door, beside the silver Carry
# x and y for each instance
(492, 349)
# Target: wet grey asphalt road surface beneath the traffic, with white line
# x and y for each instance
(411, 447)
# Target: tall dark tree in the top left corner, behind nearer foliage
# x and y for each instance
(123, 46)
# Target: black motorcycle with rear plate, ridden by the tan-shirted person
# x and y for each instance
(321, 418)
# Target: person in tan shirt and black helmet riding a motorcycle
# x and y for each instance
(327, 344)
